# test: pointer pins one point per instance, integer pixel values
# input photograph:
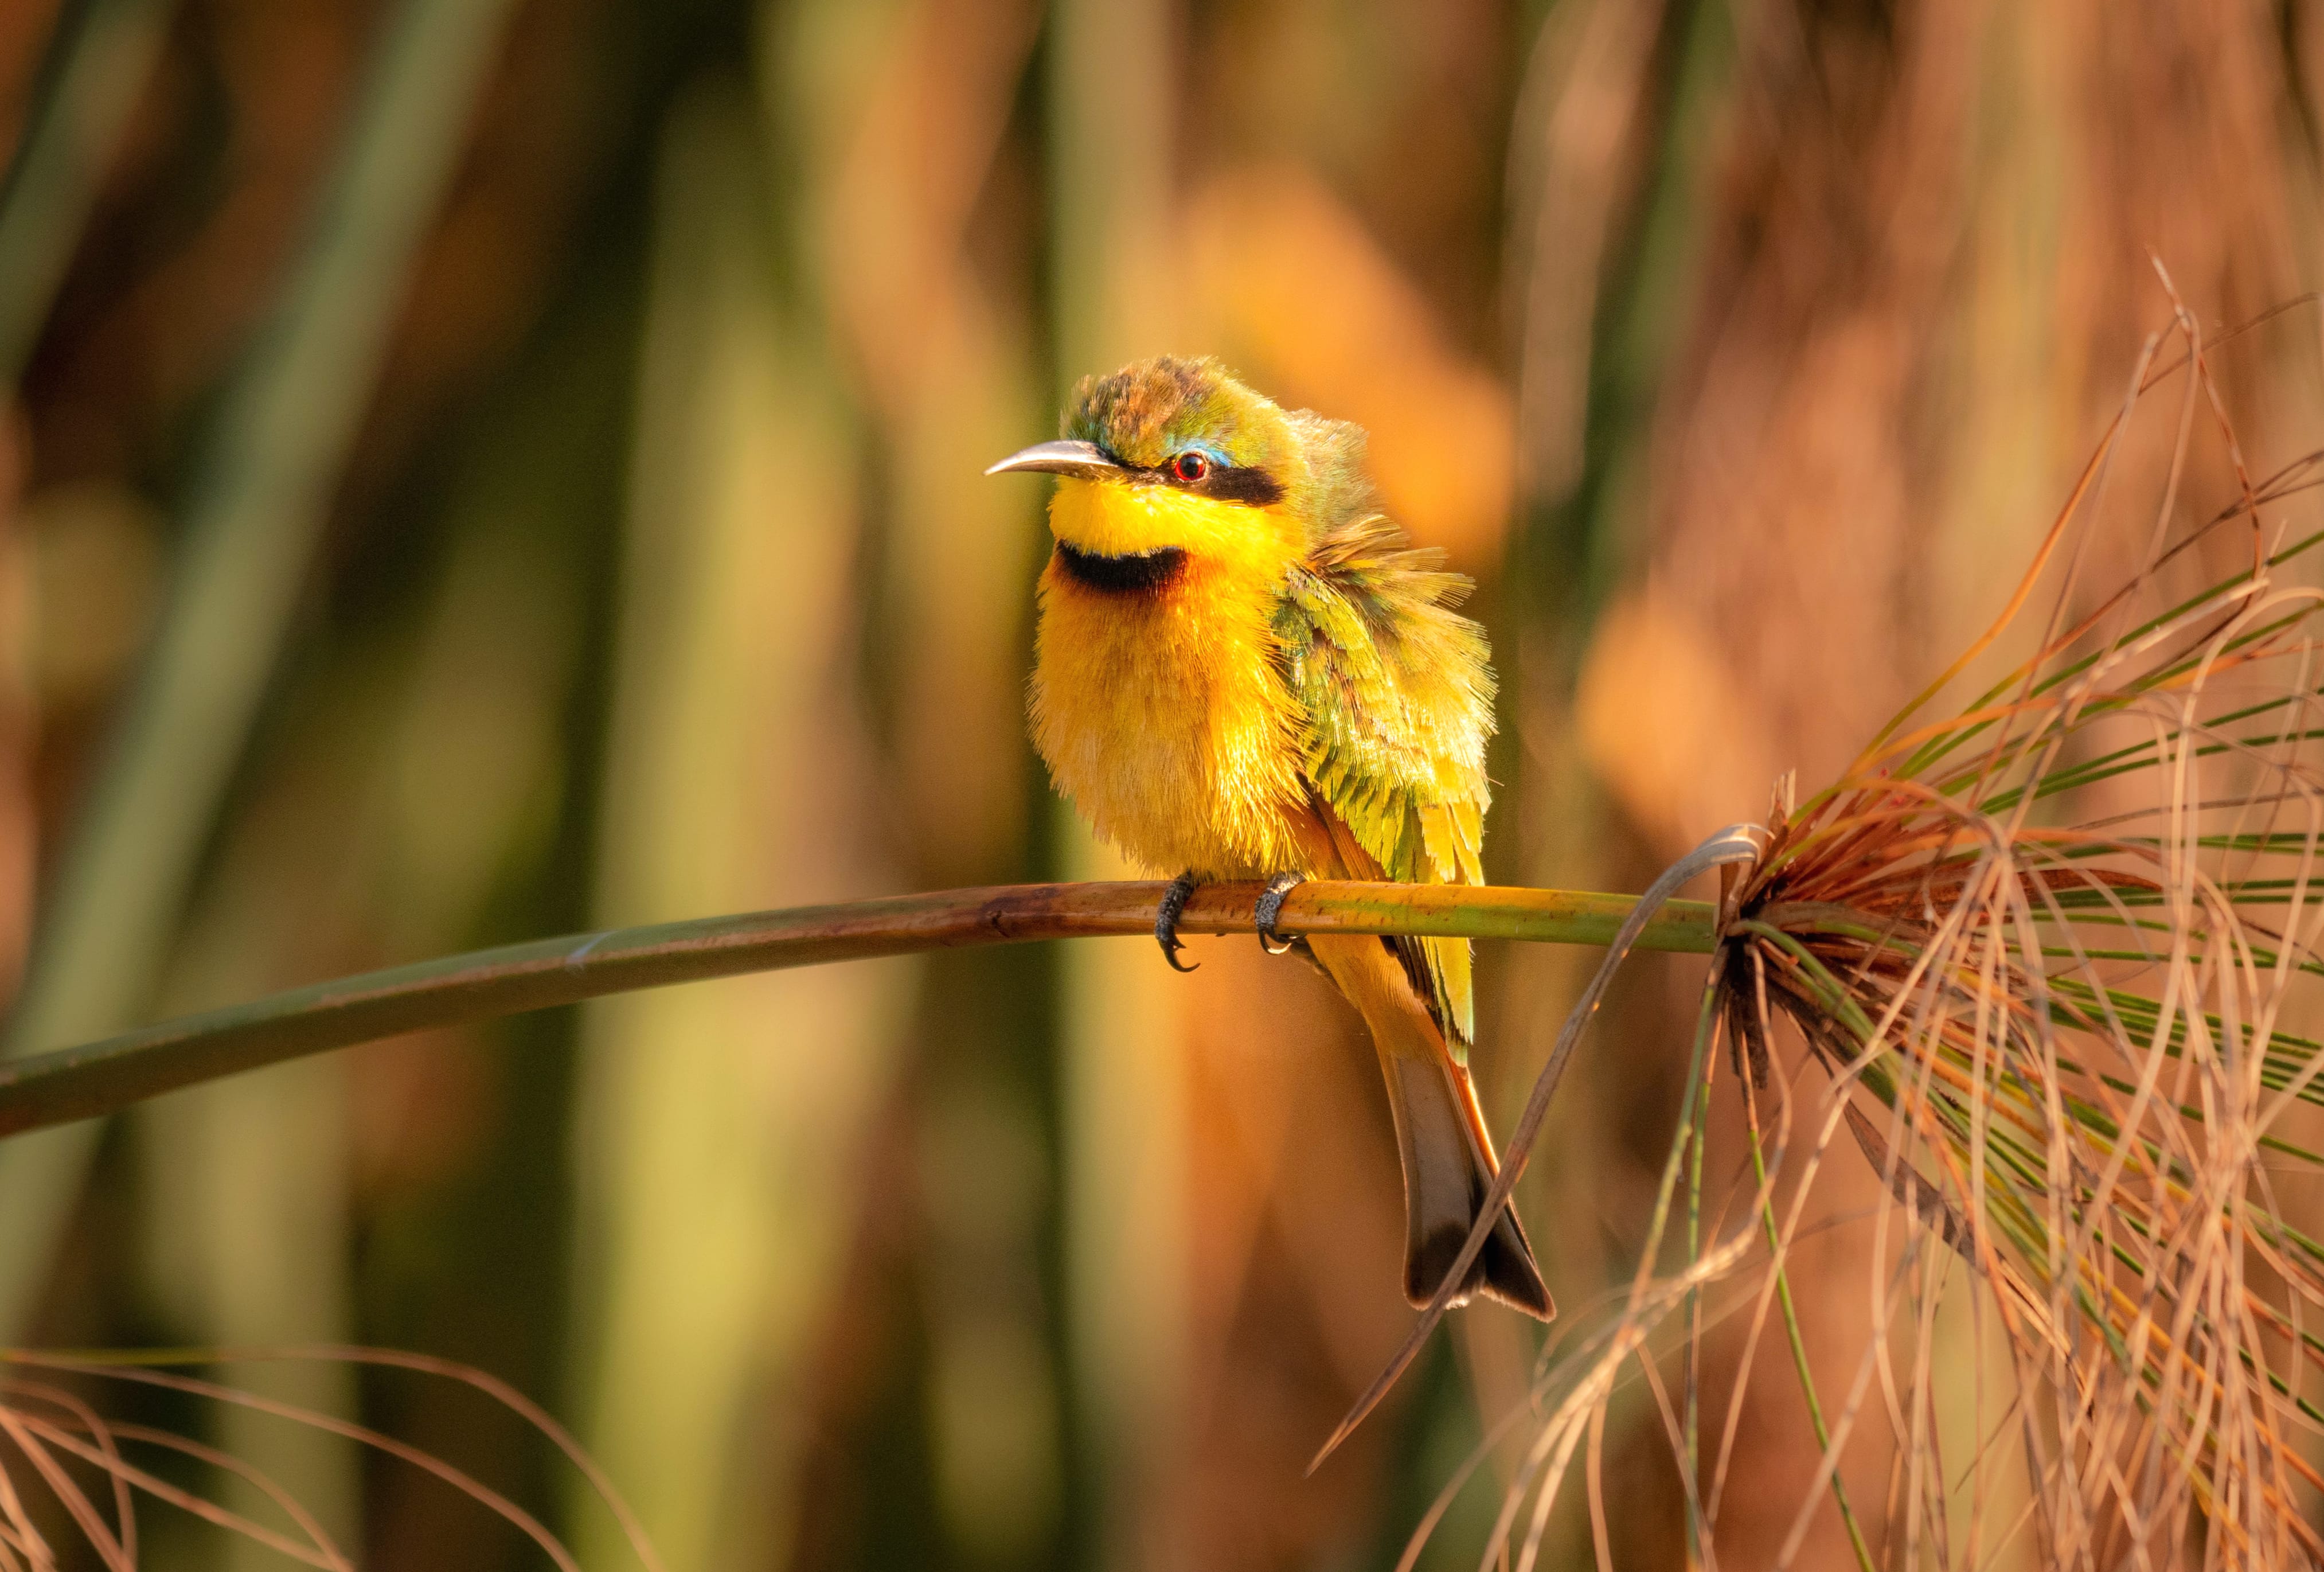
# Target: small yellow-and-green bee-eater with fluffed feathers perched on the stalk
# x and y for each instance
(1247, 673)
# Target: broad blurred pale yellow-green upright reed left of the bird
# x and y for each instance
(717, 1127)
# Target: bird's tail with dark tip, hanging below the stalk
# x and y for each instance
(1440, 1134)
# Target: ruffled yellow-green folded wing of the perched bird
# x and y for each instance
(1398, 703)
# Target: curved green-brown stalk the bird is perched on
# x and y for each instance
(101, 1078)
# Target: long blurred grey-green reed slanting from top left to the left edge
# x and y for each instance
(250, 524)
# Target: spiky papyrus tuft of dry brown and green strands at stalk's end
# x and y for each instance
(2046, 966)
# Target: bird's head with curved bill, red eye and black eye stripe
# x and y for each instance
(1179, 457)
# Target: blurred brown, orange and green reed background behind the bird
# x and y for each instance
(492, 469)
